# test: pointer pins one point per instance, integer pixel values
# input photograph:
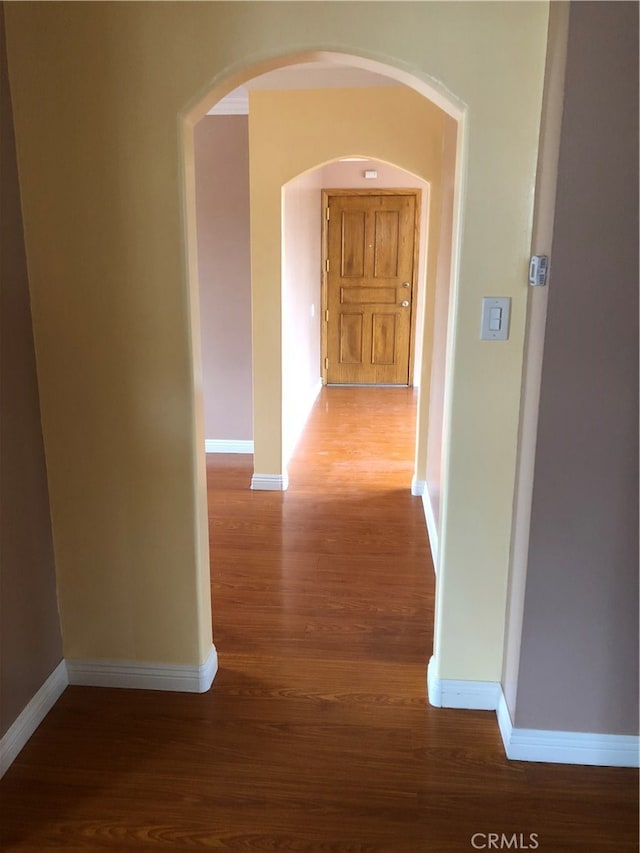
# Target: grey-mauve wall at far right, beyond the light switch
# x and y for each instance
(579, 653)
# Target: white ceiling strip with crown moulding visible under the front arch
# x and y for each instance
(307, 75)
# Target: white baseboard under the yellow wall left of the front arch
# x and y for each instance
(144, 676)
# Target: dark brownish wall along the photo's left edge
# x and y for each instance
(30, 641)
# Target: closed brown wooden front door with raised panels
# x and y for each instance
(370, 268)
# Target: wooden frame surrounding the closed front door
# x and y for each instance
(324, 301)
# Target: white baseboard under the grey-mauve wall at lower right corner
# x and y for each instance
(557, 747)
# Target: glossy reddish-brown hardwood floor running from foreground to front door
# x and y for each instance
(317, 735)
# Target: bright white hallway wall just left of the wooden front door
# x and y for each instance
(301, 279)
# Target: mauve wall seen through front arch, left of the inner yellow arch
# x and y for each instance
(221, 145)
